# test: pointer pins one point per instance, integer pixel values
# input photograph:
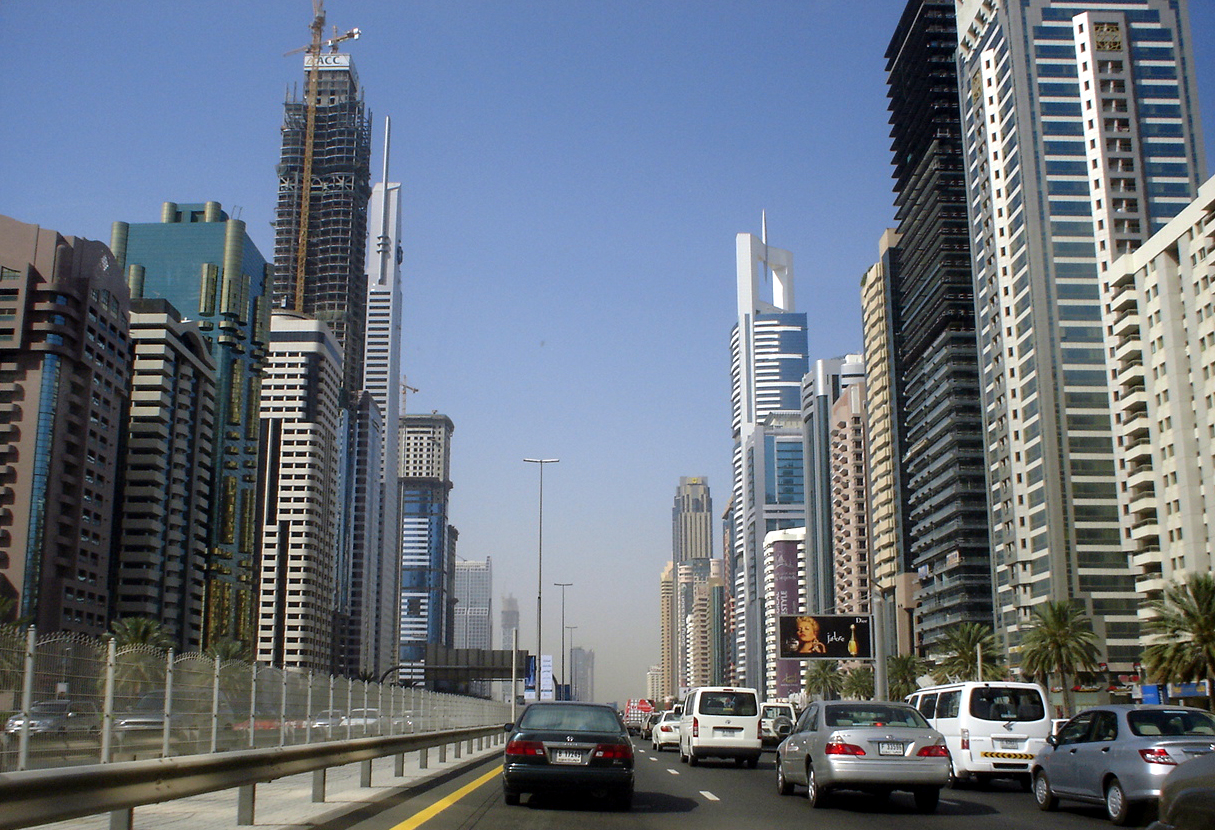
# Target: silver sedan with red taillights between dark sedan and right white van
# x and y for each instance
(869, 746)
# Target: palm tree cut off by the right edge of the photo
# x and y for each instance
(1184, 625)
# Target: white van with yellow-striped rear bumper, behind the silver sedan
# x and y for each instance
(993, 730)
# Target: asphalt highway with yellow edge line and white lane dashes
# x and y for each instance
(711, 797)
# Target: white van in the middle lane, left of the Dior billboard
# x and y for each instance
(721, 722)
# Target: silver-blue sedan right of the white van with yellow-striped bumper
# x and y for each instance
(1120, 756)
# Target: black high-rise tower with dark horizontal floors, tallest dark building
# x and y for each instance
(937, 396)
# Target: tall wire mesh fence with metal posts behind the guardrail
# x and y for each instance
(67, 699)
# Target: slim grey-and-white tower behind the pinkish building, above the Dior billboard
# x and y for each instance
(822, 388)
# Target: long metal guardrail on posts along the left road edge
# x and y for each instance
(37, 797)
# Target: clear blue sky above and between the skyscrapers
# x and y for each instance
(574, 172)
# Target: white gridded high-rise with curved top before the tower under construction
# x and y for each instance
(302, 441)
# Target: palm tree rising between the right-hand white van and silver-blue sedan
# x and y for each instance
(1061, 642)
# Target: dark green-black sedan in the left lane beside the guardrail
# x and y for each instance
(569, 748)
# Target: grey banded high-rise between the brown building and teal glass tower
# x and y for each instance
(168, 470)
